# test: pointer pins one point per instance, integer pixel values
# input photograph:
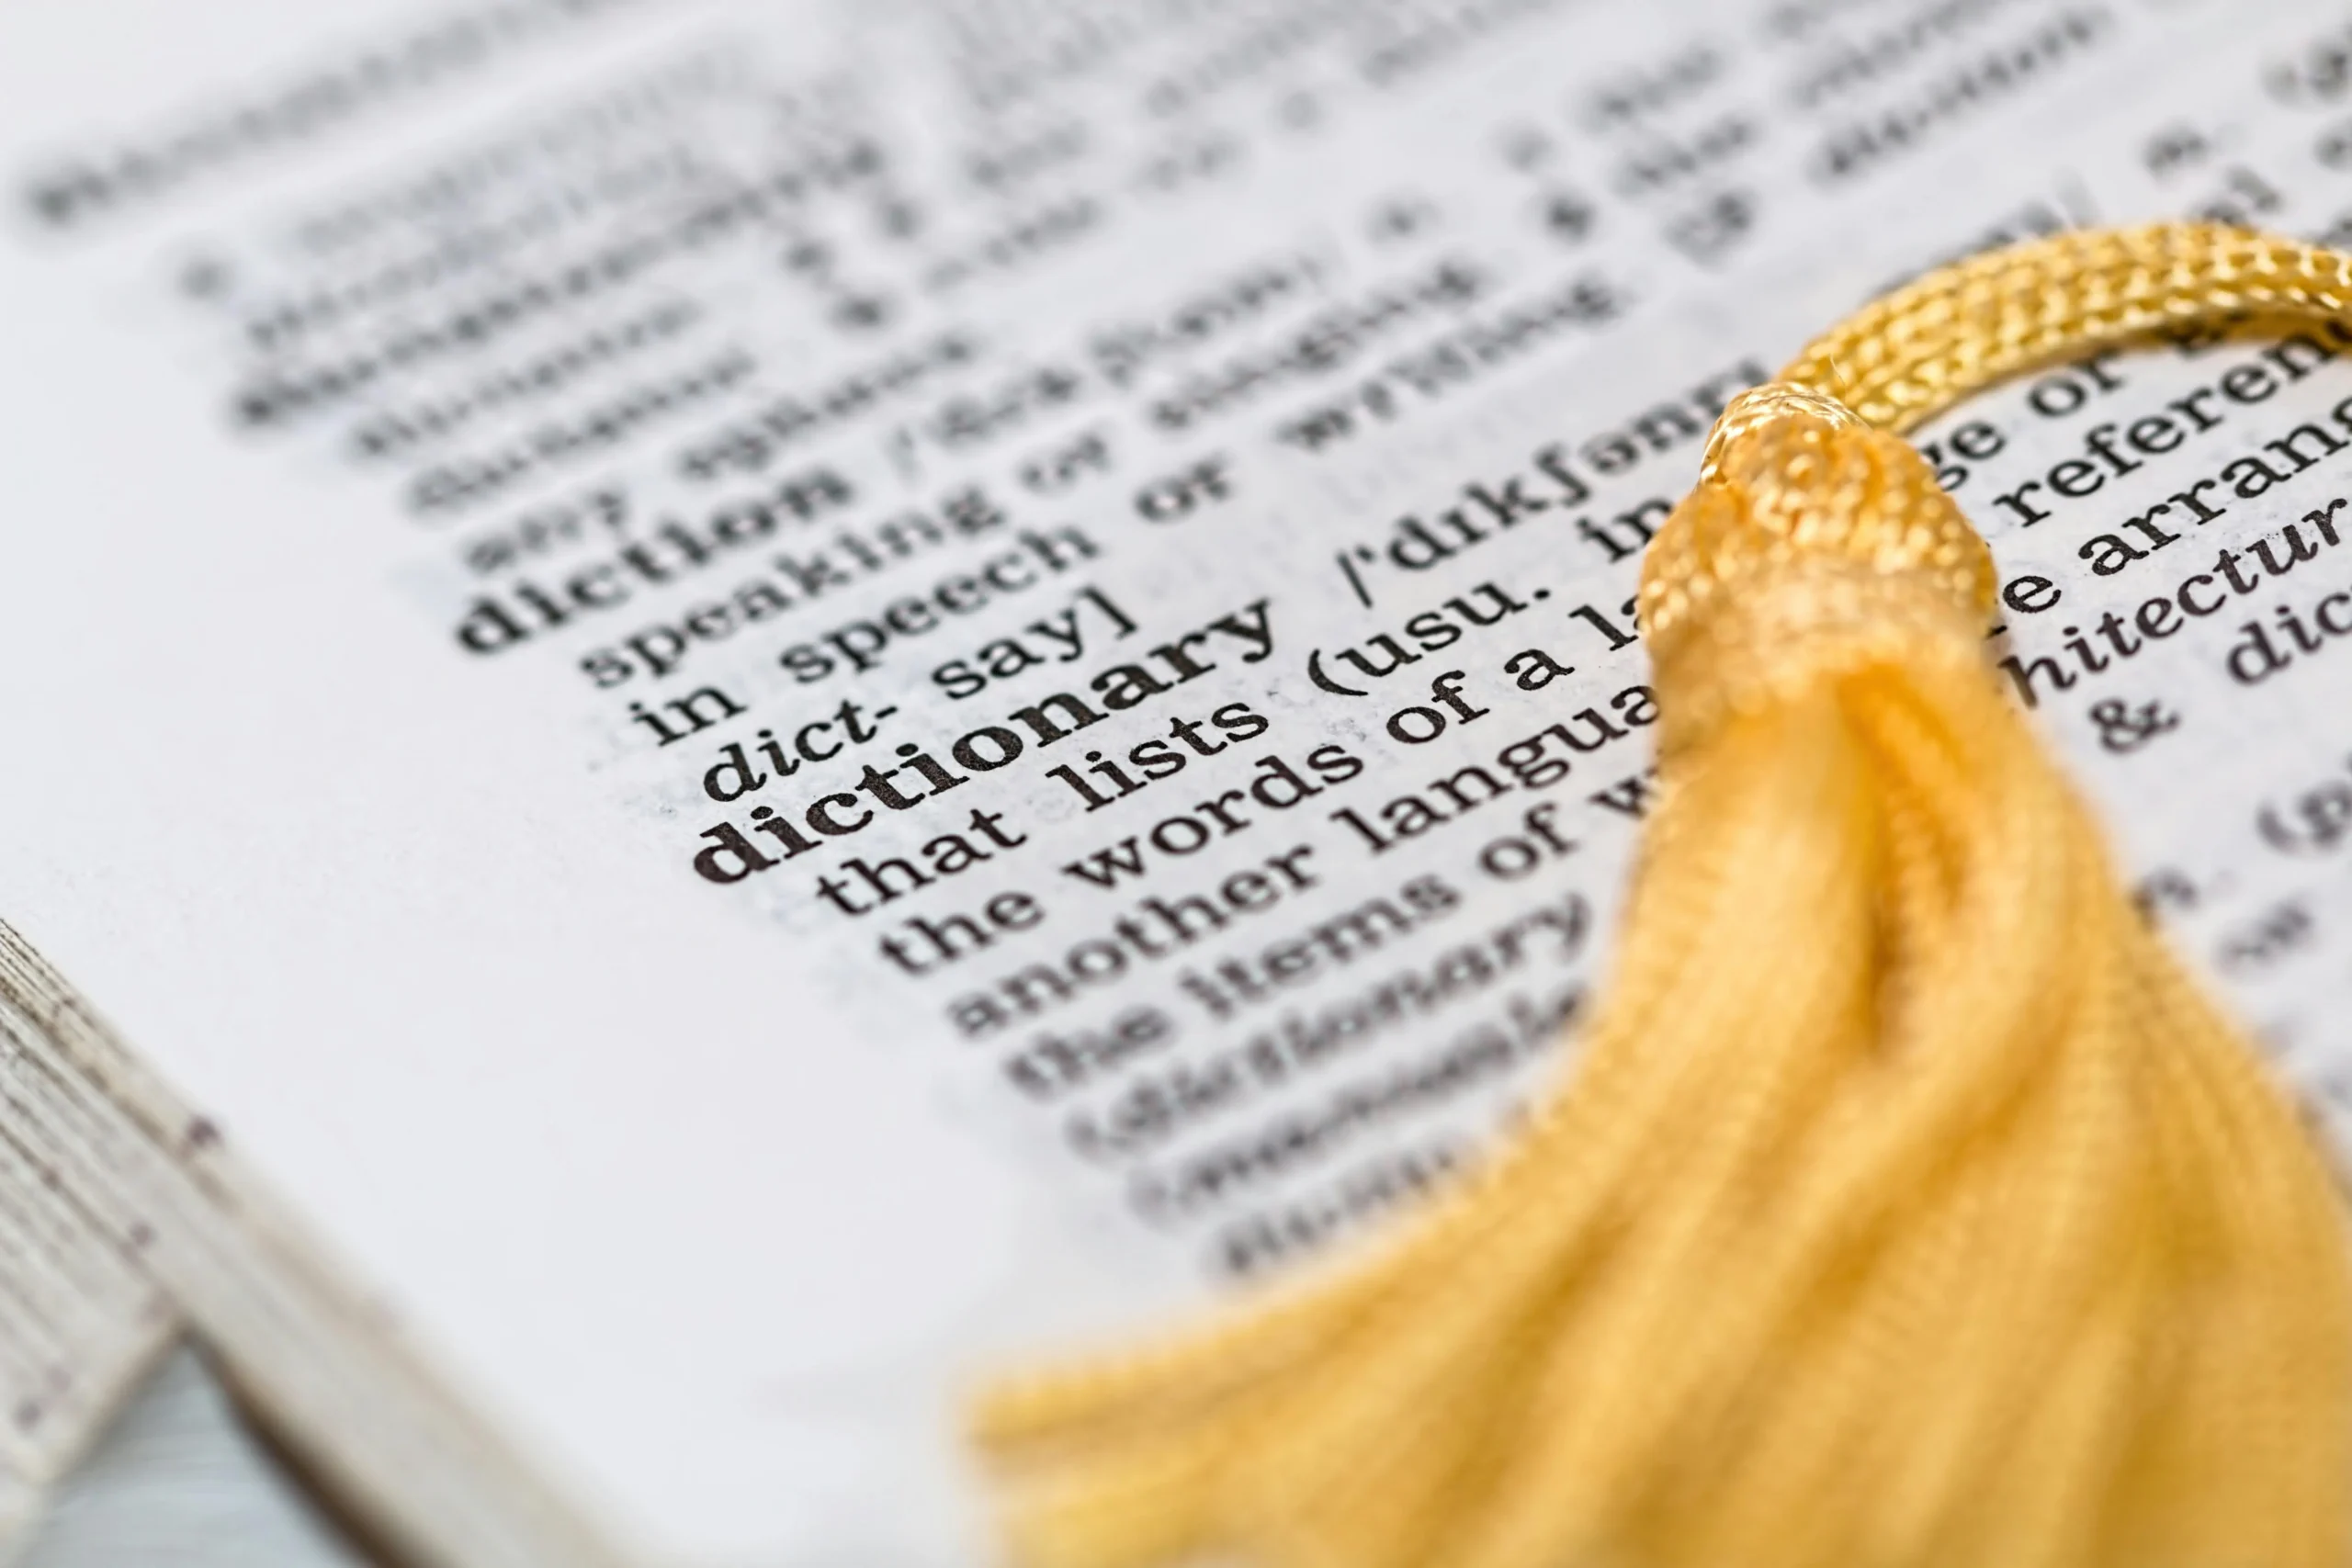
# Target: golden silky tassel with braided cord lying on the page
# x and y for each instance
(1906, 1207)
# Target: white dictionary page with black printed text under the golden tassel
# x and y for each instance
(775, 706)
